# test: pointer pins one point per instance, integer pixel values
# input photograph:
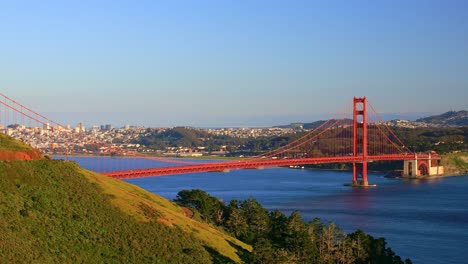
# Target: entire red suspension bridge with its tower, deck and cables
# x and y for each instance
(356, 134)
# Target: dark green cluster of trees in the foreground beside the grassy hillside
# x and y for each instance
(277, 238)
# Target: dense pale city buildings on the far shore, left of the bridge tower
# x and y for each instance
(106, 140)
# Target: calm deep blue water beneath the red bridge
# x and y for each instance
(425, 220)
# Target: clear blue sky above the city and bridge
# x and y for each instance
(232, 63)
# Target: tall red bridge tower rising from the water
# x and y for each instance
(360, 141)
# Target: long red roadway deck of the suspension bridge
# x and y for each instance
(251, 164)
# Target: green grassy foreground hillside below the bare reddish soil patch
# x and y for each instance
(55, 211)
